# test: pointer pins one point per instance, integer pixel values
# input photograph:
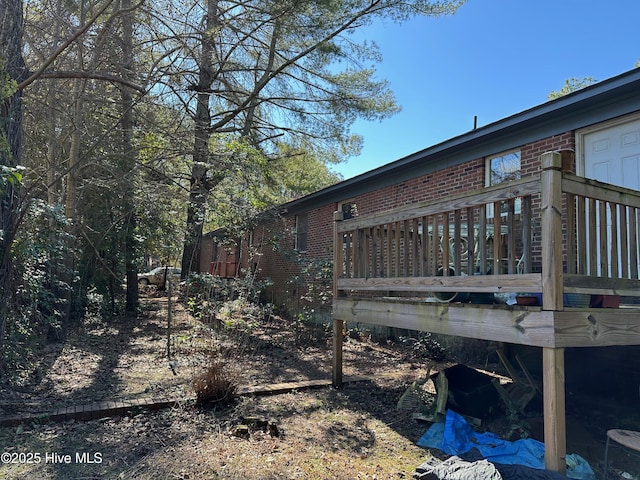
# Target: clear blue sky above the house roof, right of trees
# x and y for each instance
(493, 58)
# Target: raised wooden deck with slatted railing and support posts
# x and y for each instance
(551, 233)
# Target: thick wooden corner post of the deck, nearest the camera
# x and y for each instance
(552, 299)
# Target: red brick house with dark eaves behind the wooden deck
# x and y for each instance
(302, 229)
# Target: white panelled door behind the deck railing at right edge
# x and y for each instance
(611, 154)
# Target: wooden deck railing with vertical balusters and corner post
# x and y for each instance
(540, 233)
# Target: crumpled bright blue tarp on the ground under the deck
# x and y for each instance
(455, 437)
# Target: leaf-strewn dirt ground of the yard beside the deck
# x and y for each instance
(356, 432)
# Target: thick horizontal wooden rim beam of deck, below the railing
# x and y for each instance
(511, 324)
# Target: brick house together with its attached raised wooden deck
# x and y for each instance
(552, 172)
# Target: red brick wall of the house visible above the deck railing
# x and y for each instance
(275, 239)
